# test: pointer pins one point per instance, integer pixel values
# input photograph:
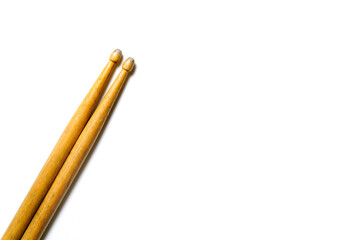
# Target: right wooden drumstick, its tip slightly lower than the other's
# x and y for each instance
(76, 158)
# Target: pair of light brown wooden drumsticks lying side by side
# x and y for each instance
(67, 156)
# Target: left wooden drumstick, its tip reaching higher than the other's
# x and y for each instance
(60, 152)
